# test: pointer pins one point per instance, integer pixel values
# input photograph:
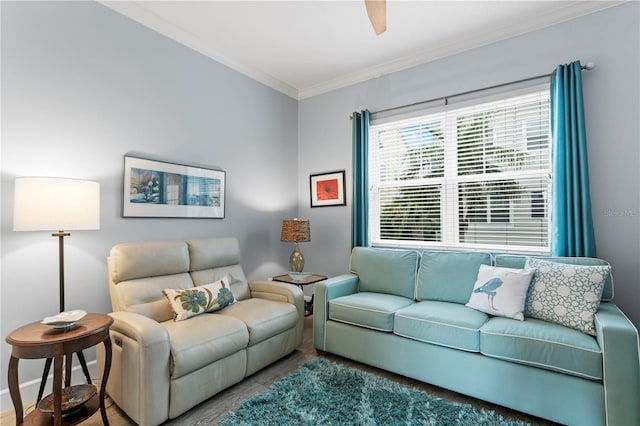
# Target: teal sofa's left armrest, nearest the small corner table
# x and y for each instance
(325, 291)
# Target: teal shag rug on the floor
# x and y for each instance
(323, 393)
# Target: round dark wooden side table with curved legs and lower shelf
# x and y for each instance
(38, 341)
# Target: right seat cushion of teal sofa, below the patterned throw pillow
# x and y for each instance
(542, 344)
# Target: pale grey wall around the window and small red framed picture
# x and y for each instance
(610, 38)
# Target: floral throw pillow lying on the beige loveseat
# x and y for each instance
(194, 301)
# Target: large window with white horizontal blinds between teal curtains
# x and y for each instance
(475, 176)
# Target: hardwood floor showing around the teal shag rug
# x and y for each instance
(218, 407)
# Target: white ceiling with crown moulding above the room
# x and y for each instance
(307, 47)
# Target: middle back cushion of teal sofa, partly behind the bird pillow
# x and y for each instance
(449, 276)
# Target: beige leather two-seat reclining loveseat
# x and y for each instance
(160, 367)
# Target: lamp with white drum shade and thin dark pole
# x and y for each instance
(56, 204)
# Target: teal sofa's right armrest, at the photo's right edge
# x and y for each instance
(618, 339)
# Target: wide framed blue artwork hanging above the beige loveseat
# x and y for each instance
(163, 189)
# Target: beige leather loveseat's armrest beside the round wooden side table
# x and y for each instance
(140, 367)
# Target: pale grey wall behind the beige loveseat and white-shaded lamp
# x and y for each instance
(82, 86)
